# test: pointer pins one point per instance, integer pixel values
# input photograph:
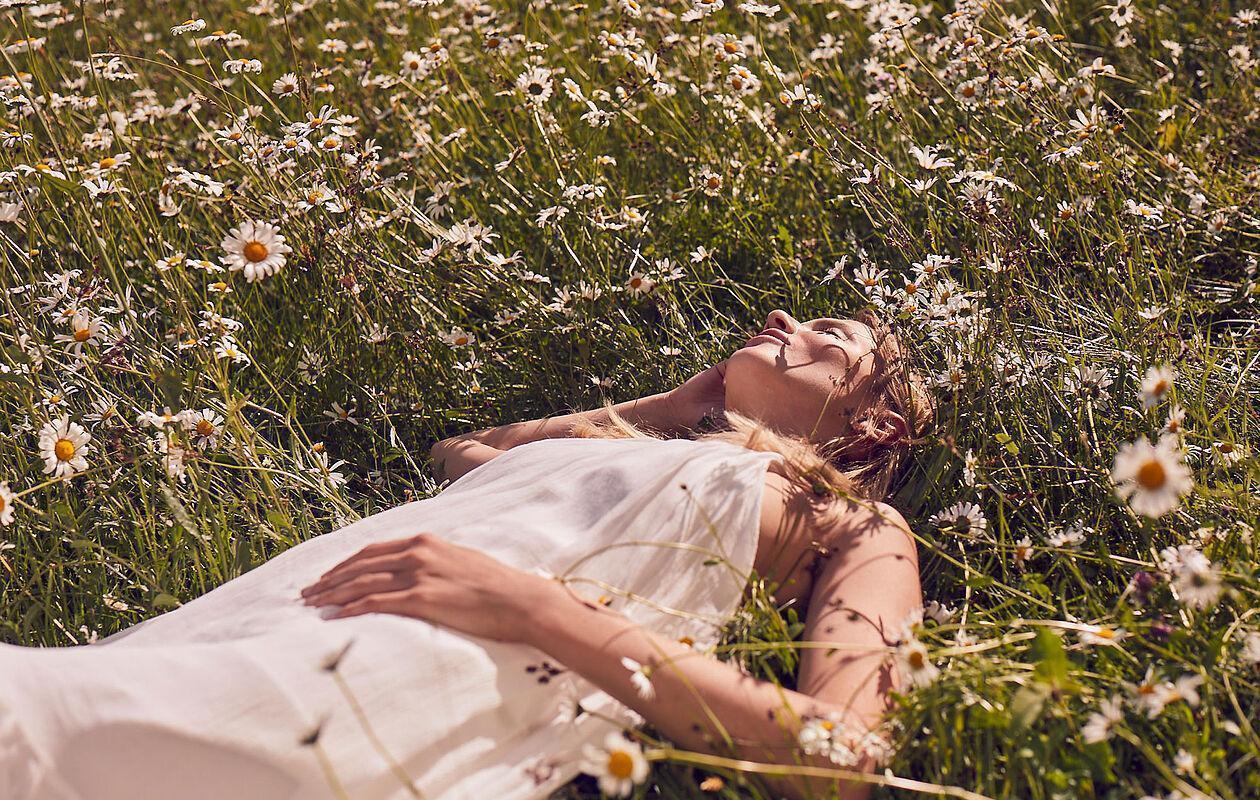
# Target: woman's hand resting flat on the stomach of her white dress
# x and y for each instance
(434, 580)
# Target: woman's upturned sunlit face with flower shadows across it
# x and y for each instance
(805, 379)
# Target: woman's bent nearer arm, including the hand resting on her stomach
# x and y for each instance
(862, 594)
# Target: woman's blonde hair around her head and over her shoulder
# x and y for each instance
(845, 466)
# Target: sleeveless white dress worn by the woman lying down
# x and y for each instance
(215, 699)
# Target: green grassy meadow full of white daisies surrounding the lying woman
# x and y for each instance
(259, 258)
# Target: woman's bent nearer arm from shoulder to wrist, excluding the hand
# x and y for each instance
(861, 597)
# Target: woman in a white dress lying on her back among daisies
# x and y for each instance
(571, 581)
